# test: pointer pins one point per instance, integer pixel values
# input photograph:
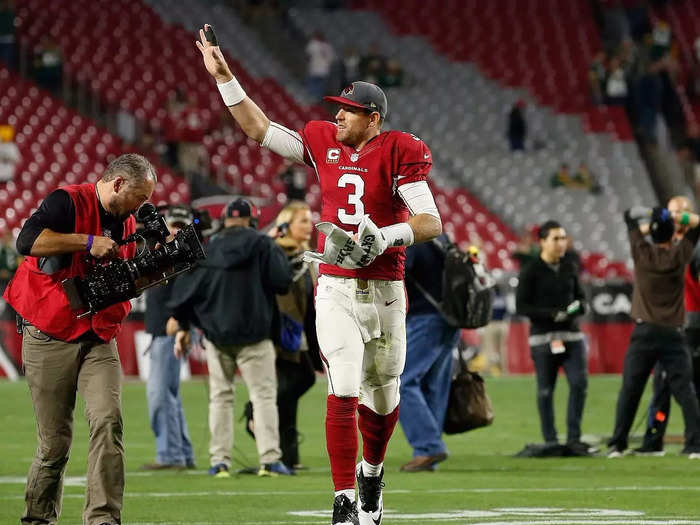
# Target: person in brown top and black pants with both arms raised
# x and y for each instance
(657, 307)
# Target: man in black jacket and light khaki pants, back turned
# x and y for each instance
(231, 297)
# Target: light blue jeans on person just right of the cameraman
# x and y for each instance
(173, 446)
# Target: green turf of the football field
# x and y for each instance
(480, 474)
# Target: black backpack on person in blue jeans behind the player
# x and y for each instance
(467, 289)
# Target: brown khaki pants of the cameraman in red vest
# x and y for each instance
(55, 370)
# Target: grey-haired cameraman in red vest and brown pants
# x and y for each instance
(63, 354)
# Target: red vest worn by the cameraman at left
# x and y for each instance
(39, 297)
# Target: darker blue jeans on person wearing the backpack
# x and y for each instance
(425, 382)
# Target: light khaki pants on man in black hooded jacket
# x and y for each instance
(257, 365)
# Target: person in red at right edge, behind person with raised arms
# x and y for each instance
(660, 404)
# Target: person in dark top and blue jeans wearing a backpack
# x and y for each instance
(425, 382)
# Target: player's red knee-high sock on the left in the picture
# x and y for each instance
(341, 440)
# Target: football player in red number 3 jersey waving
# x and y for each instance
(375, 202)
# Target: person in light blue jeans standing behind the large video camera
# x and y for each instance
(165, 411)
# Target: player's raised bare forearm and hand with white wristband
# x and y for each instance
(245, 112)
